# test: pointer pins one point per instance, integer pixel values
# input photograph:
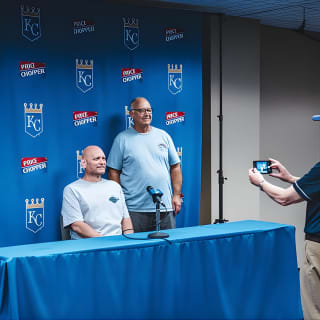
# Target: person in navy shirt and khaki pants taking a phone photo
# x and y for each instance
(307, 189)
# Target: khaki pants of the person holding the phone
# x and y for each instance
(310, 281)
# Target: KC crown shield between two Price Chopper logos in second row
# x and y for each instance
(84, 75)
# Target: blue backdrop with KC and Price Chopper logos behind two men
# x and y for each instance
(68, 71)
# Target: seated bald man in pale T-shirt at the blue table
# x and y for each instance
(93, 206)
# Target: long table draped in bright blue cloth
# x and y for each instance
(239, 270)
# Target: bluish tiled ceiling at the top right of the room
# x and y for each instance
(291, 14)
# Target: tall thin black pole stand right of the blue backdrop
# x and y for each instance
(221, 178)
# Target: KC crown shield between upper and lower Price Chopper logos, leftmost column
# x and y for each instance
(33, 122)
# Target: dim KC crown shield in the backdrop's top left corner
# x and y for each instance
(30, 22)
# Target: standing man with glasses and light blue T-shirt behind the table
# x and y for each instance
(145, 156)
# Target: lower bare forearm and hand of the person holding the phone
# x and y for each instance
(282, 196)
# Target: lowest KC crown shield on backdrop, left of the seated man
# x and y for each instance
(34, 214)
